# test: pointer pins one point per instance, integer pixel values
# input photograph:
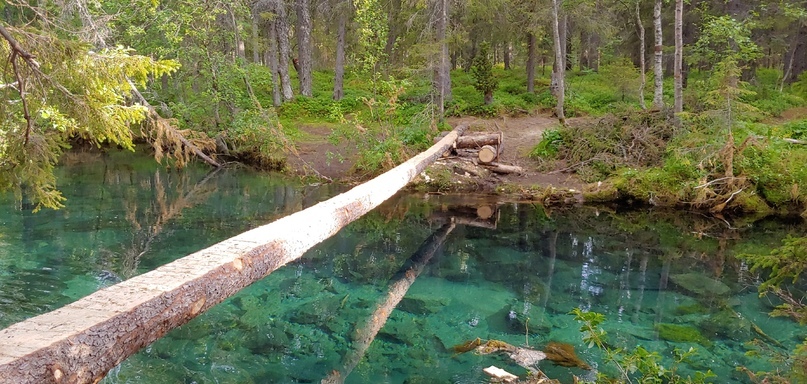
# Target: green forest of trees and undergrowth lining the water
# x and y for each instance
(699, 104)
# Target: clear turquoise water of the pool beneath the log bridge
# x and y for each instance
(657, 278)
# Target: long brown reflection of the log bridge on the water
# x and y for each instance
(367, 333)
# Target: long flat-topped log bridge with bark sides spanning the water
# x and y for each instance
(82, 341)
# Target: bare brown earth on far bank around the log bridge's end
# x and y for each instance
(521, 135)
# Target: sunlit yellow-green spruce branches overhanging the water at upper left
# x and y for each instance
(74, 92)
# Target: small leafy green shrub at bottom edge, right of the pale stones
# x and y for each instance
(637, 365)
